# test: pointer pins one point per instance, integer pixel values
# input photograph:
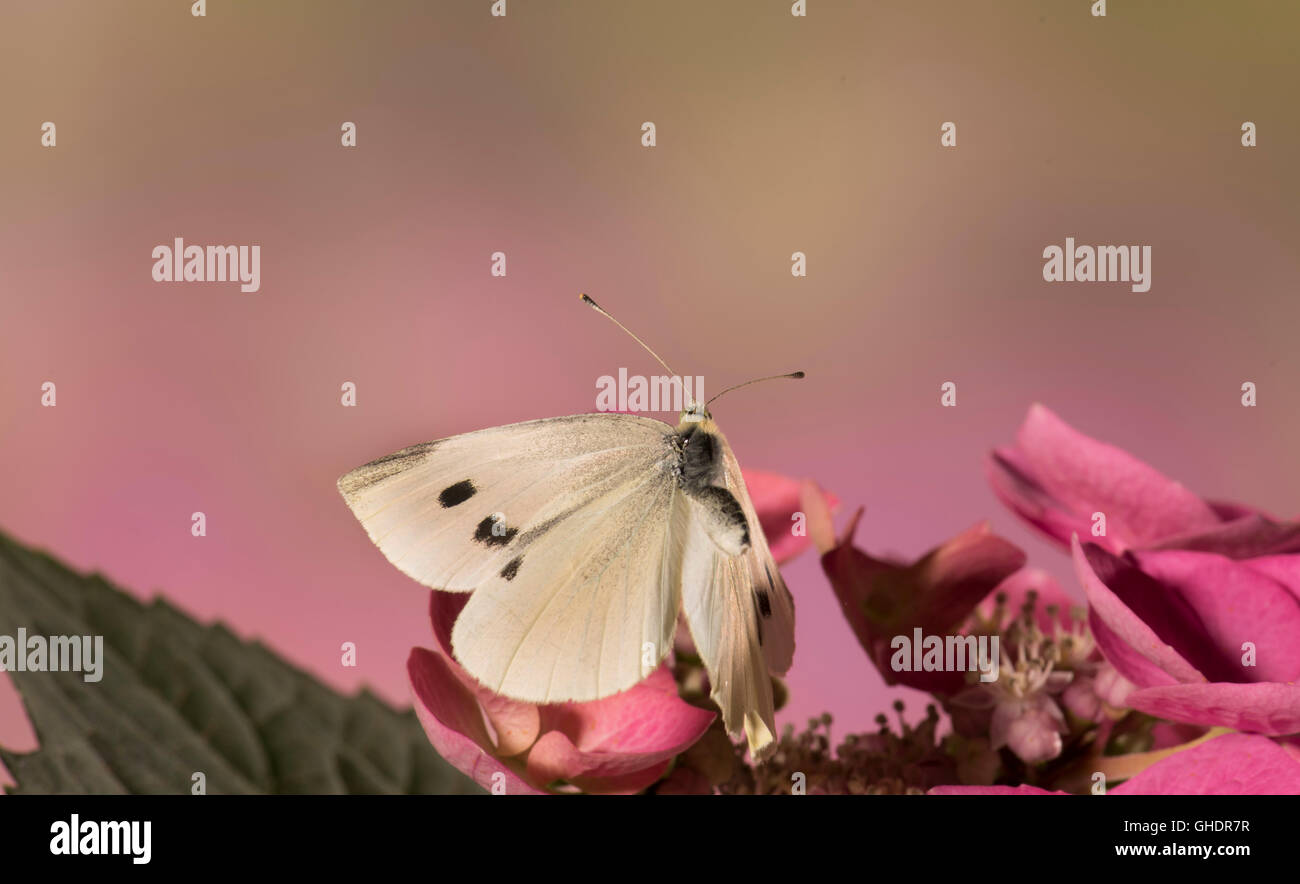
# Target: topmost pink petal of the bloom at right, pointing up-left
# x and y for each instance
(1058, 478)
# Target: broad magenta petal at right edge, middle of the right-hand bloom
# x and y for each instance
(1236, 604)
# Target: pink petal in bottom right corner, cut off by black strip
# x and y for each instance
(1232, 765)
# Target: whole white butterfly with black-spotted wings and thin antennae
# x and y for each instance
(582, 539)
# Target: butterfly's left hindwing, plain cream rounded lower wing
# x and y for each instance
(587, 612)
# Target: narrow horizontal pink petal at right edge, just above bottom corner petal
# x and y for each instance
(1259, 708)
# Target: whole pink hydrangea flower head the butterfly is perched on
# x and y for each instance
(1180, 674)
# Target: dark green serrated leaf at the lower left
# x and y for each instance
(179, 697)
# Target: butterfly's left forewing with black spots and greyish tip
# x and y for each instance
(454, 513)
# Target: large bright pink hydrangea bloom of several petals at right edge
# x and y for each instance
(1178, 588)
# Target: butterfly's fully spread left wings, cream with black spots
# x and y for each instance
(565, 528)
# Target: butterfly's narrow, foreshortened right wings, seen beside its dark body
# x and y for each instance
(742, 618)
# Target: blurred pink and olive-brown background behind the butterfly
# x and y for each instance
(523, 135)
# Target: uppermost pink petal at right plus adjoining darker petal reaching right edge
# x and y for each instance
(1056, 479)
